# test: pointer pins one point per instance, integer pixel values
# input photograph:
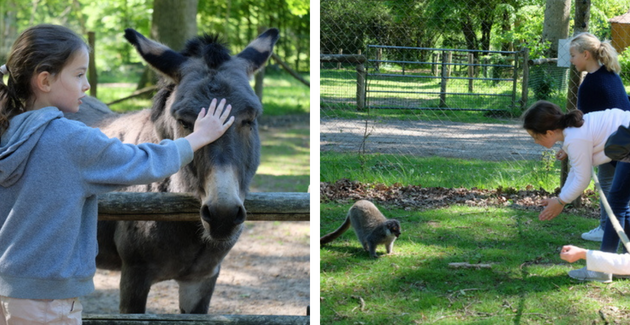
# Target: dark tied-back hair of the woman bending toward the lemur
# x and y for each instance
(543, 116)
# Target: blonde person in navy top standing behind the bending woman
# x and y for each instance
(601, 89)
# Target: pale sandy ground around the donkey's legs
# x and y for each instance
(266, 273)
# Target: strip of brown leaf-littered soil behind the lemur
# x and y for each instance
(413, 197)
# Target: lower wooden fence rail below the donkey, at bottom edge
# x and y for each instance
(149, 319)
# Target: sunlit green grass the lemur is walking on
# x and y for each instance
(527, 283)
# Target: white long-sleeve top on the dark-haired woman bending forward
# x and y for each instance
(585, 148)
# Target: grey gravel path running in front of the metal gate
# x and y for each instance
(419, 138)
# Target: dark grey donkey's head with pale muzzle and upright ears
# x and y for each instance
(221, 171)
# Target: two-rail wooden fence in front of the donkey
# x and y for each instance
(185, 207)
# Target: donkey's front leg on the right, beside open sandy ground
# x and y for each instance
(195, 295)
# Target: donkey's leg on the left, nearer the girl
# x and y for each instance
(135, 285)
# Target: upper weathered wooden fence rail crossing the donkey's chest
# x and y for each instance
(185, 207)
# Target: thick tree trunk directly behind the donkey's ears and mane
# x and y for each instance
(173, 23)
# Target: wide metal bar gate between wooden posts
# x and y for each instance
(418, 78)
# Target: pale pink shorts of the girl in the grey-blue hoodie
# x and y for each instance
(15, 311)
